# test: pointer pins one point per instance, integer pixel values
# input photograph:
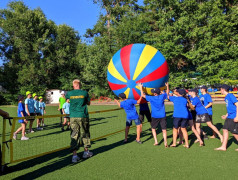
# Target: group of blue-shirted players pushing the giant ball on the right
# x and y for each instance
(189, 110)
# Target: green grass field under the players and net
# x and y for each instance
(114, 160)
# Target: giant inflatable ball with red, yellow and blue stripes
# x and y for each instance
(137, 63)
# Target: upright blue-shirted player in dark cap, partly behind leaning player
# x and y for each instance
(206, 100)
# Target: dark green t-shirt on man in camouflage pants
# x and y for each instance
(78, 103)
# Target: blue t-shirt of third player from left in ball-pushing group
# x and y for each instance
(180, 107)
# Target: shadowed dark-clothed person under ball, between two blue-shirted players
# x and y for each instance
(144, 111)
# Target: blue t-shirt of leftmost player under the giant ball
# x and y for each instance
(130, 109)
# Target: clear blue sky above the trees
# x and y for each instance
(79, 14)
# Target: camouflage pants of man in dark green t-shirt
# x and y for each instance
(80, 134)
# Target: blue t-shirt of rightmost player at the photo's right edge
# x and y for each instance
(230, 100)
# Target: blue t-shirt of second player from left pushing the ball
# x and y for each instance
(157, 105)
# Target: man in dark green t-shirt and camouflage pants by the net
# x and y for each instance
(79, 121)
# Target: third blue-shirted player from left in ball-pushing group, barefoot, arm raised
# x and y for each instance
(180, 116)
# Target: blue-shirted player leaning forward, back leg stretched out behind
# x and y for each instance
(202, 114)
